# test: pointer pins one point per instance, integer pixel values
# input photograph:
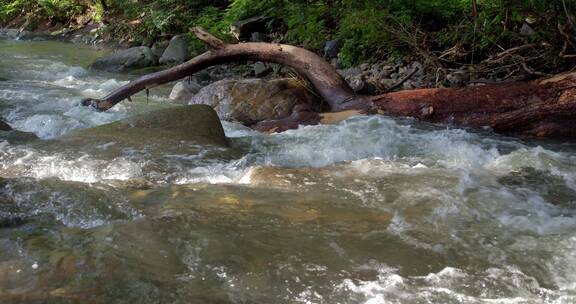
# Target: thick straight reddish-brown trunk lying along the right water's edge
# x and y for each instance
(541, 108)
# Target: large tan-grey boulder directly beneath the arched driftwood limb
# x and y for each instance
(253, 100)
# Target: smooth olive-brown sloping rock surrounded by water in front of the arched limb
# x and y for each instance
(195, 123)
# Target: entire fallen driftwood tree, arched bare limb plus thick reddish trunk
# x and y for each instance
(540, 108)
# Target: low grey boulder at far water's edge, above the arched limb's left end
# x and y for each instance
(125, 60)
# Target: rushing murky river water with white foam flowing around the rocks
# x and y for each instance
(371, 210)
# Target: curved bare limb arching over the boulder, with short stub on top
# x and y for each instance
(329, 84)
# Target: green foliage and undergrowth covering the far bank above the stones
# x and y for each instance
(369, 29)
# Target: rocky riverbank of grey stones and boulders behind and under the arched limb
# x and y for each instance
(249, 92)
